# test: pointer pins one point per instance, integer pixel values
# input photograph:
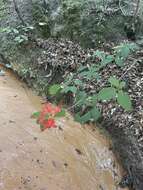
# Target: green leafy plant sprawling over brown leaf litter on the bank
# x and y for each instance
(80, 84)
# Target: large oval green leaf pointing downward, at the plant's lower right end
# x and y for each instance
(124, 100)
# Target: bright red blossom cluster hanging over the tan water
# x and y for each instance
(46, 118)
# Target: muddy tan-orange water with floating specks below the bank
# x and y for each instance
(67, 158)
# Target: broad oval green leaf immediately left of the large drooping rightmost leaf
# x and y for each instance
(107, 93)
